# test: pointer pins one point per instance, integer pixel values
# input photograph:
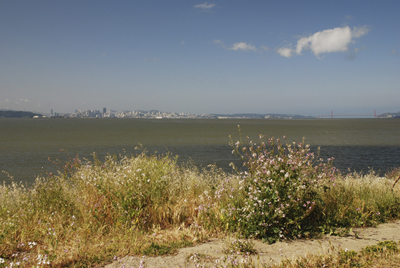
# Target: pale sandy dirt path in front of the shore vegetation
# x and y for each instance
(210, 252)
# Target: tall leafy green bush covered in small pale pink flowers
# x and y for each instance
(279, 193)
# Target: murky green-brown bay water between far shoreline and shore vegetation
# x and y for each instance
(356, 144)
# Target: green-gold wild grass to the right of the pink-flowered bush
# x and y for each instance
(360, 200)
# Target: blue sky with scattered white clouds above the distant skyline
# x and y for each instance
(306, 57)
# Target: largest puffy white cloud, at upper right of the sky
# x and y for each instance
(326, 41)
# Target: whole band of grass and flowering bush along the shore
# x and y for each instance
(92, 212)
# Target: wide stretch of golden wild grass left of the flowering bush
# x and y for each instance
(95, 211)
